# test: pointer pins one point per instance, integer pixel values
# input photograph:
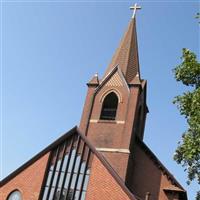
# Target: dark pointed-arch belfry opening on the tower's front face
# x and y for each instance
(109, 107)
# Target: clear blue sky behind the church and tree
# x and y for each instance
(50, 49)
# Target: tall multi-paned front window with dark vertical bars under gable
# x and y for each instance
(68, 171)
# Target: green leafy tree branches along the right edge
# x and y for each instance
(188, 150)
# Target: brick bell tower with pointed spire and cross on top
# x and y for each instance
(115, 107)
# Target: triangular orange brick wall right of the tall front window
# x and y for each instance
(102, 186)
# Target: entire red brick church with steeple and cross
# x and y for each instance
(105, 157)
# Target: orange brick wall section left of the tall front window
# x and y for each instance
(28, 182)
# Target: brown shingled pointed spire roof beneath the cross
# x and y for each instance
(126, 55)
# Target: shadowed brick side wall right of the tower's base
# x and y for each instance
(147, 177)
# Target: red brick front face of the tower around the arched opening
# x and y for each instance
(107, 133)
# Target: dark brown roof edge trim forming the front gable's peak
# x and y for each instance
(59, 141)
